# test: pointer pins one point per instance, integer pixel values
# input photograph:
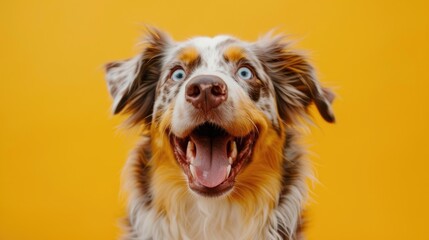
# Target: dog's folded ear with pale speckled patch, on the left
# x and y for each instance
(132, 82)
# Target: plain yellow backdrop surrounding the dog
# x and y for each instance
(61, 153)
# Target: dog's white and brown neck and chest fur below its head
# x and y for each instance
(214, 218)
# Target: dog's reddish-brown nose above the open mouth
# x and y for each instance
(206, 92)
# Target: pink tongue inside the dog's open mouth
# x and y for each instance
(211, 160)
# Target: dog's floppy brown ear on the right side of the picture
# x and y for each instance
(294, 79)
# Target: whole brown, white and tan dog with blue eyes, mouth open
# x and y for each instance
(219, 155)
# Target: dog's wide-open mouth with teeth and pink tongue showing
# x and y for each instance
(211, 158)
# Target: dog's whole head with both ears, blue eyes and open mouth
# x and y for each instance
(217, 106)
